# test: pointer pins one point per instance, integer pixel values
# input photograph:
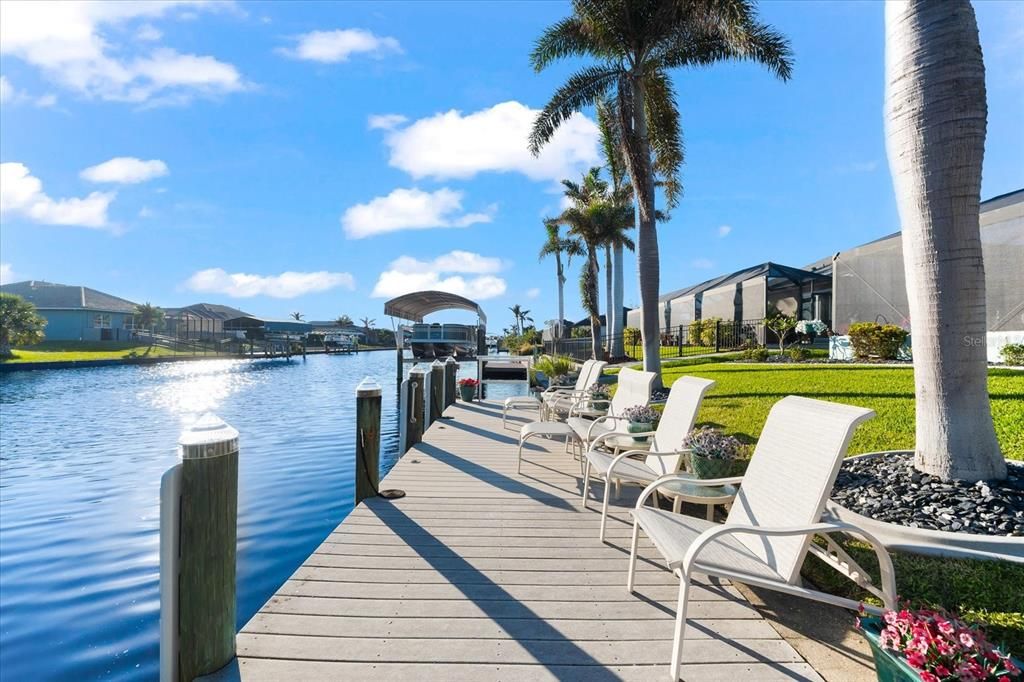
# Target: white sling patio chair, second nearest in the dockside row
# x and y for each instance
(666, 453)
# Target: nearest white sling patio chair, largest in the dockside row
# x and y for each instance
(775, 518)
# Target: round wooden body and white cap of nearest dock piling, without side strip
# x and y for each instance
(207, 547)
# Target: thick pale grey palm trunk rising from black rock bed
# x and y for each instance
(935, 129)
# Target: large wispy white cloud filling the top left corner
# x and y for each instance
(71, 44)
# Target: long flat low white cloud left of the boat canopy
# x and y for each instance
(286, 285)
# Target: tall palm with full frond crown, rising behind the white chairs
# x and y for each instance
(636, 45)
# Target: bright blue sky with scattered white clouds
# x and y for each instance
(323, 157)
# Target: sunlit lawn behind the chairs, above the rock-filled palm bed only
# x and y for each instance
(745, 393)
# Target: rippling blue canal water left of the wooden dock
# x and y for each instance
(81, 457)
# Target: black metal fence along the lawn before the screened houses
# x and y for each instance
(703, 337)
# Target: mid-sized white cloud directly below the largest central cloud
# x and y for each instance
(410, 209)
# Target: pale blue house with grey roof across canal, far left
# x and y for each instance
(78, 314)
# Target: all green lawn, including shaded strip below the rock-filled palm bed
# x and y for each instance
(987, 592)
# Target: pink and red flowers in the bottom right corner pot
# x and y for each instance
(942, 648)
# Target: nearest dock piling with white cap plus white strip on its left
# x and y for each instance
(207, 540)
